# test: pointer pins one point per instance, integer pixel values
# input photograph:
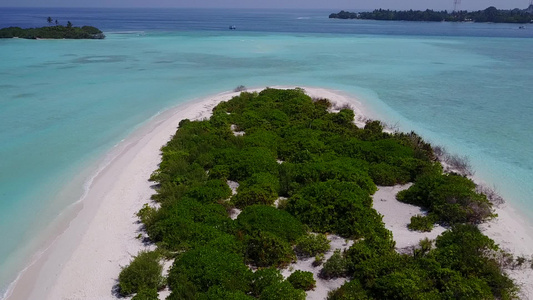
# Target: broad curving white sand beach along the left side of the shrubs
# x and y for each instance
(86, 258)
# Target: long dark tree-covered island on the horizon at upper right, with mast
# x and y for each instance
(490, 14)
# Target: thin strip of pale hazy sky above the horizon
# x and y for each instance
(292, 4)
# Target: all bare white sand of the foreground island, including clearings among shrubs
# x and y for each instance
(86, 256)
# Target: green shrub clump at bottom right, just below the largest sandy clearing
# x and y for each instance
(460, 267)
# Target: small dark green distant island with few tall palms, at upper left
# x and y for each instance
(53, 32)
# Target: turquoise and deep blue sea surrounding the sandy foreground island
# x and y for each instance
(65, 103)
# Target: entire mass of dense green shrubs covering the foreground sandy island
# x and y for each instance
(328, 169)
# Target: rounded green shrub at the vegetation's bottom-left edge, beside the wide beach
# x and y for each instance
(144, 272)
